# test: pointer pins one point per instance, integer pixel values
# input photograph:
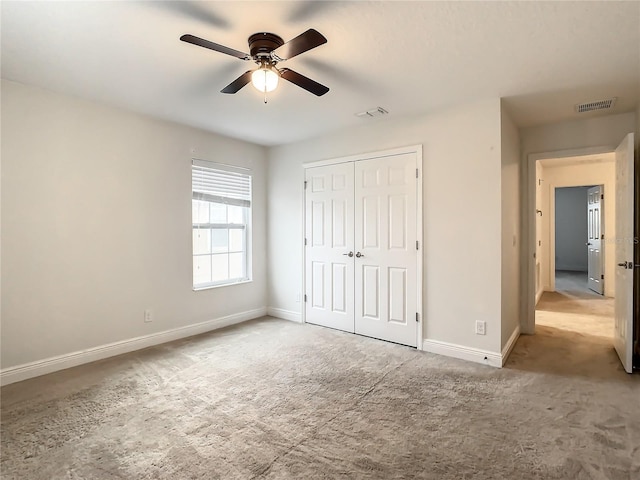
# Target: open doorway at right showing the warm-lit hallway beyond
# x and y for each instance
(576, 289)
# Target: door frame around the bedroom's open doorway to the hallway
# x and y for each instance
(528, 306)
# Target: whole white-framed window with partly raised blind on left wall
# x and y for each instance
(221, 216)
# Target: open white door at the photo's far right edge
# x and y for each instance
(623, 334)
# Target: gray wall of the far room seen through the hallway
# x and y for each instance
(571, 228)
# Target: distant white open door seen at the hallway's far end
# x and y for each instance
(594, 240)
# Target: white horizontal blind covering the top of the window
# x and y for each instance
(215, 183)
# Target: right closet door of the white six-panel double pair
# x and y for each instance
(385, 244)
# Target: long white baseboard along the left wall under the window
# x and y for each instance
(73, 359)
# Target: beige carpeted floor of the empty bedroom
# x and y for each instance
(271, 399)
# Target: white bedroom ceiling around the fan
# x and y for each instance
(408, 57)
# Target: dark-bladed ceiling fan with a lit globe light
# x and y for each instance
(267, 50)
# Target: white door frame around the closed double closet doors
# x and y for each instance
(417, 149)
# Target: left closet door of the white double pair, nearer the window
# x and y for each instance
(329, 240)
